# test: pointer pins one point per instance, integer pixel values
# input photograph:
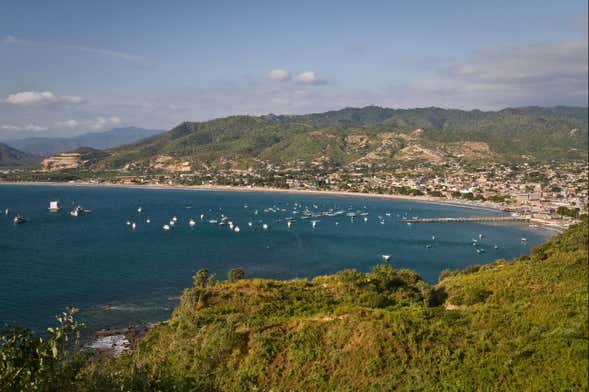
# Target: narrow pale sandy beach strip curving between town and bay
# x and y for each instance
(231, 188)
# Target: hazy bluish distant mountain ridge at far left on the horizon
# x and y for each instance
(45, 146)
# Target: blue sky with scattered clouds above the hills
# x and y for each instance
(69, 67)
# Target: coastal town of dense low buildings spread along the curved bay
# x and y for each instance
(553, 195)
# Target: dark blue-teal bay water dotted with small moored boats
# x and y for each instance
(119, 276)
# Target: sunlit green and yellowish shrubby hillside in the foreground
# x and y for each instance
(520, 325)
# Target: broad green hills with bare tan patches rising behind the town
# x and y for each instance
(532, 133)
